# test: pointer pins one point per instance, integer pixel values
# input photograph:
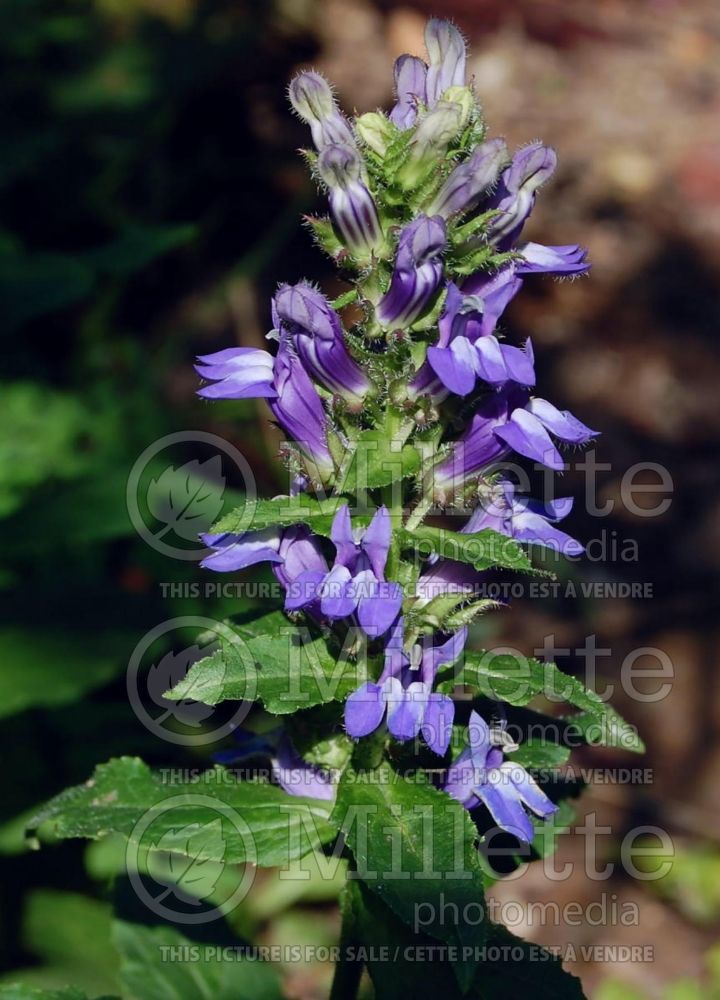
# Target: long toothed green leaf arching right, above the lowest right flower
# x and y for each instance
(517, 680)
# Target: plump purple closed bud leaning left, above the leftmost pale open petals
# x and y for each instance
(306, 319)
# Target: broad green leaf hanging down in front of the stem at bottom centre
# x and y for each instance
(415, 847)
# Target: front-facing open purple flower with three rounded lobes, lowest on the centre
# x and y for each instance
(404, 692)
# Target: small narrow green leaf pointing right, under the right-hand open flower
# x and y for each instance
(481, 549)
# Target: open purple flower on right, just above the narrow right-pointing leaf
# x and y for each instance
(524, 520)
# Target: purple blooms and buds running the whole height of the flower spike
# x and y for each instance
(316, 385)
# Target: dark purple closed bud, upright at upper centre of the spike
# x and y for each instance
(417, 274)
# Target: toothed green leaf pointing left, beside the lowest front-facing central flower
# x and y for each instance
(282, 665)
